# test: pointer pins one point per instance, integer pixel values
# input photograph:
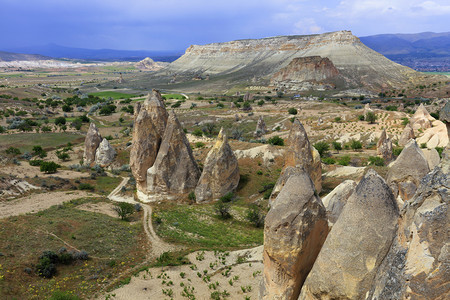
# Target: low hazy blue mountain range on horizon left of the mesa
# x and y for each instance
(57, 51)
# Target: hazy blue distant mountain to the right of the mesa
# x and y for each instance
(426, 51)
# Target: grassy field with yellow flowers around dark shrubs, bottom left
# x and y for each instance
(114, 247)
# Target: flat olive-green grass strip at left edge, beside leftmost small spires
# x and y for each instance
(26, 141)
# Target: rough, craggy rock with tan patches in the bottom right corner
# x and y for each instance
(418, 263)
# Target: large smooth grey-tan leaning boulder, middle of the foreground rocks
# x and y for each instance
(356, 245)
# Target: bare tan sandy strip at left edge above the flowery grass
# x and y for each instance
(38, 202)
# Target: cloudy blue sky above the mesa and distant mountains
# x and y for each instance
(176, 24)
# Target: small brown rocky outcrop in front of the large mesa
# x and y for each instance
(314, 69)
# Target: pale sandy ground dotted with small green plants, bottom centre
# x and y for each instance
(243, 268)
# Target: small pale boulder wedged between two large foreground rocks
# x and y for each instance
(335, 201)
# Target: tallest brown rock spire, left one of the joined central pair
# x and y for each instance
(150, 121)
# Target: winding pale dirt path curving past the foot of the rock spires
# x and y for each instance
(158, 246)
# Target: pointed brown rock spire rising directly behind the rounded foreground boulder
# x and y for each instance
(300, 154)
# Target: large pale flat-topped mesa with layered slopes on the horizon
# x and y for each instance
(261, 58)
